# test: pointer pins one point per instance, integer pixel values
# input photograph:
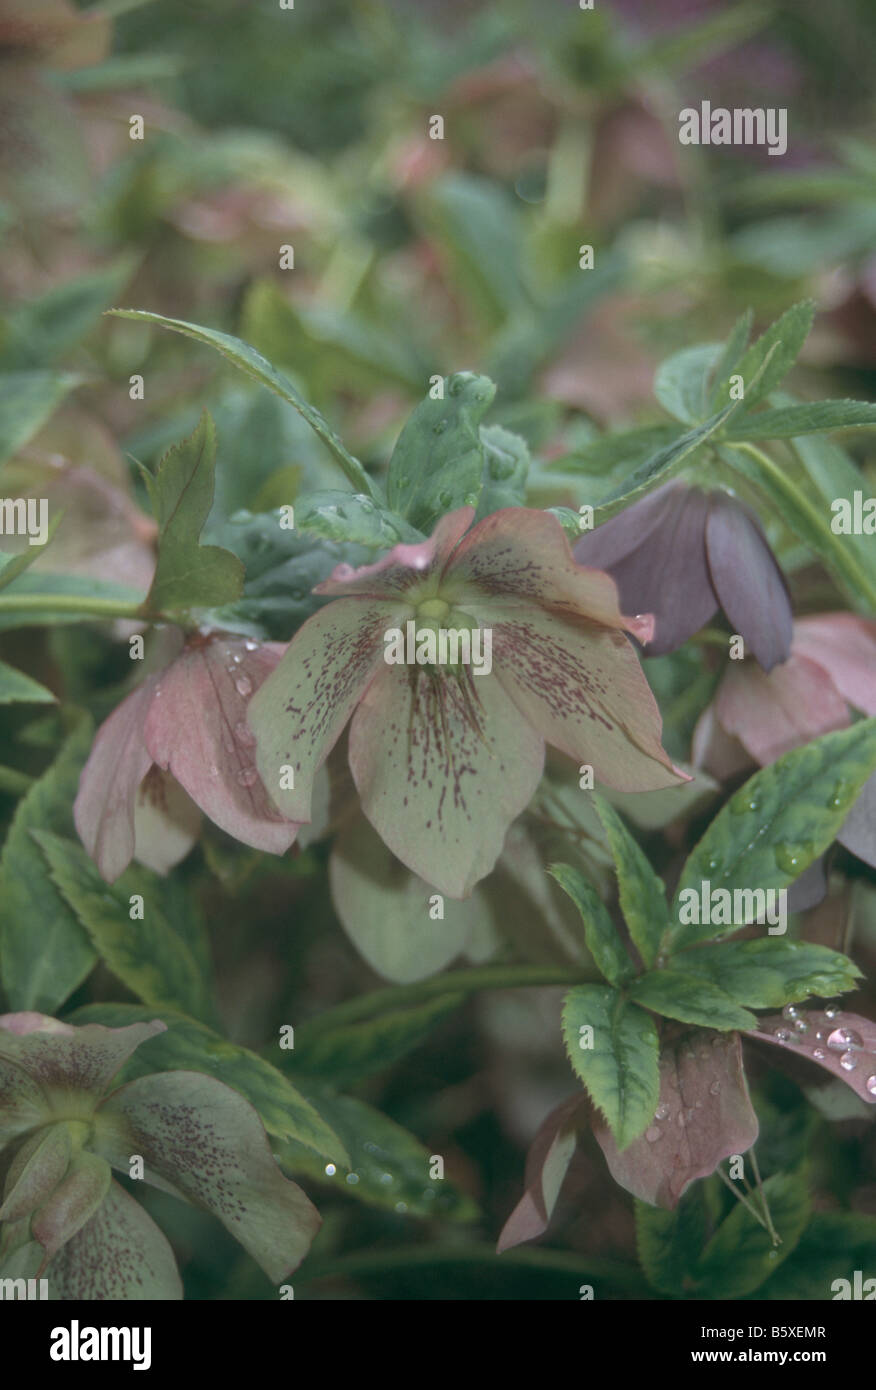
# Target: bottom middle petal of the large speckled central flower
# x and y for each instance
(443, 767)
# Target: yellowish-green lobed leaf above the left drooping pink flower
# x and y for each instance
(190, 575)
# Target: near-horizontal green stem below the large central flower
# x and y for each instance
(454, 983)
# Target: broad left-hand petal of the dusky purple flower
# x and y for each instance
(667, 573)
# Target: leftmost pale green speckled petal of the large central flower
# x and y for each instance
(301, 711)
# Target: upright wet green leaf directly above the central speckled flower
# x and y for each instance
(439, 459)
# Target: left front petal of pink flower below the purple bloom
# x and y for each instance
(774, 714)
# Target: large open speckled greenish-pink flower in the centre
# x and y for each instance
(446, 757)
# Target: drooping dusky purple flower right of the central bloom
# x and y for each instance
(682, 554)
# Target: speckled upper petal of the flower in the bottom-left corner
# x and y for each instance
(65, 1061)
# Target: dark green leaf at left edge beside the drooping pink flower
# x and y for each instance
(45, 954)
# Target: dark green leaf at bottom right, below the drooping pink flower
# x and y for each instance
(742, 1254)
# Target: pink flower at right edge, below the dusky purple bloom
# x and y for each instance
(761, 717)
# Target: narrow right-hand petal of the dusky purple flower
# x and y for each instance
(749, 582)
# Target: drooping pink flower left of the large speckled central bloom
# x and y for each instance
(180, 735)
